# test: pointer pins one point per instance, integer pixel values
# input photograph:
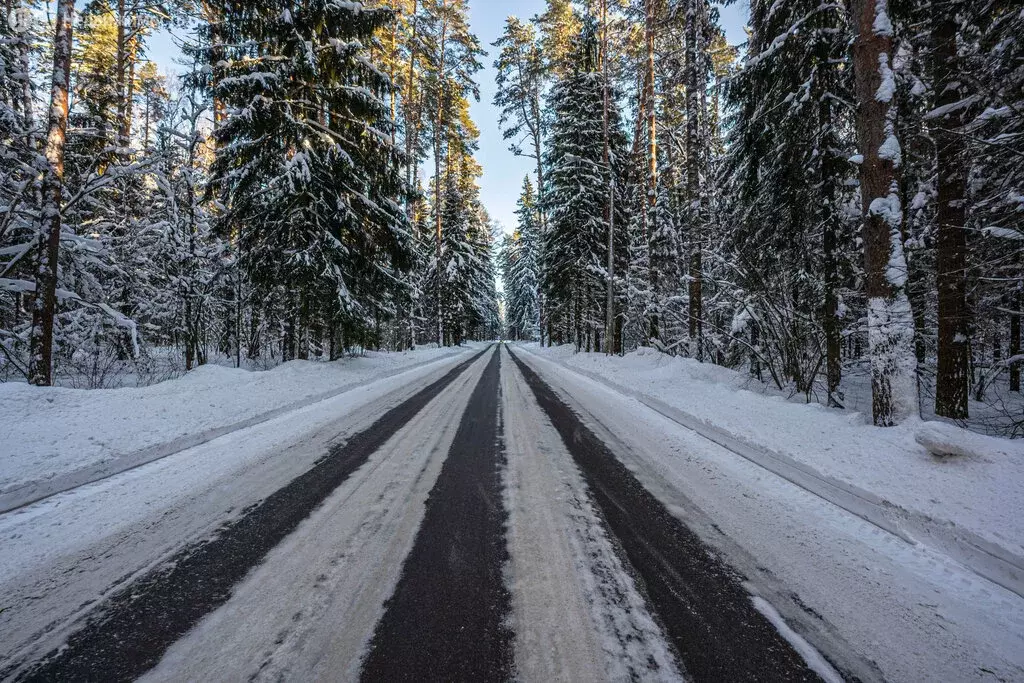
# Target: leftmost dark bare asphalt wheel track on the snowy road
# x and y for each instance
(127, 635)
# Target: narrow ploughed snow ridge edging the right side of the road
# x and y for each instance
(989, 561)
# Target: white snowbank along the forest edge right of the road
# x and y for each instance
(968, 481)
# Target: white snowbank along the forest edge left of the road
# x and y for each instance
(48, 432)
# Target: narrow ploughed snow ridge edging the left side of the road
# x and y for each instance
(40, 490)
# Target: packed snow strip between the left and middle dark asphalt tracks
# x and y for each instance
(312, 607)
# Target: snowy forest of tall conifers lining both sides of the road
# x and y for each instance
(840, 197)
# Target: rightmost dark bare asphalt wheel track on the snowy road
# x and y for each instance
(701, 603)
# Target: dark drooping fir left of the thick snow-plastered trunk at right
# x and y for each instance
(789, 130)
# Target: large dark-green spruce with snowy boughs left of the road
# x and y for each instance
(307, 172)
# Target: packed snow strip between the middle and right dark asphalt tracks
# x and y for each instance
(577, 612)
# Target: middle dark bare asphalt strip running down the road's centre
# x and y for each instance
(447, 620)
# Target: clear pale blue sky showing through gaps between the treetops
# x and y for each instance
(503, 173)
